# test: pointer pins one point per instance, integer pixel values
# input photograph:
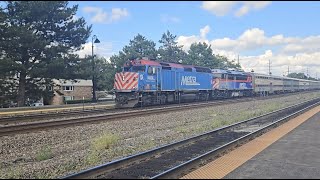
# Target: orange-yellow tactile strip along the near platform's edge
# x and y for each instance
(222, 166)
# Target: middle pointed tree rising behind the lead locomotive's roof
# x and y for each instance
(170, 51)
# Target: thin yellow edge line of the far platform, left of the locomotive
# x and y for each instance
(55, 109)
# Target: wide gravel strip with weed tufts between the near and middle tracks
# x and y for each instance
(59, 152)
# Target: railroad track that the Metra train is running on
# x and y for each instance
(16, 119)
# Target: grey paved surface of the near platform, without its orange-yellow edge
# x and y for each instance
(294, 156)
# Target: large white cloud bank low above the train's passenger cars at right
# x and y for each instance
(299, 53)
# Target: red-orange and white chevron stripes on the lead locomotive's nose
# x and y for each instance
(126, 80)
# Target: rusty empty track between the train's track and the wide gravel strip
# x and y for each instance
(39, 126)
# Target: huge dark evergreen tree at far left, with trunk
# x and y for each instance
(39, 37)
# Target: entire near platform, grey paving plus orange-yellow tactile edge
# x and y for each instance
(288, 151)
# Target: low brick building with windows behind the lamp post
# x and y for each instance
(71, 90)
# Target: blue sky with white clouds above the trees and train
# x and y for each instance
(284, 33)
